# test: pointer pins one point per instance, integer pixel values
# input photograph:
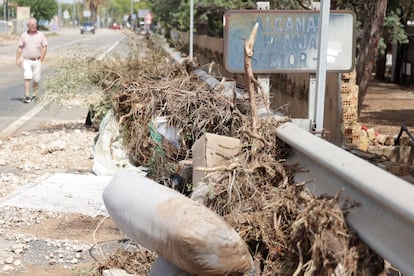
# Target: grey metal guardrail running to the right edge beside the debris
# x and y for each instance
(385, 218)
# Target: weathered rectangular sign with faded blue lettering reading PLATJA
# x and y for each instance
(287, 41)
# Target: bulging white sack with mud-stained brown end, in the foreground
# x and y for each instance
(184, 232)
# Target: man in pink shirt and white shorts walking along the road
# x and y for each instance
(32, 48)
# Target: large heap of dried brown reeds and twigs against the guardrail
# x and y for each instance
(288, 230)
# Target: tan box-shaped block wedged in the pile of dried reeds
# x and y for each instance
(213, 150)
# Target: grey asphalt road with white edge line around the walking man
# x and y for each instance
(14, 114)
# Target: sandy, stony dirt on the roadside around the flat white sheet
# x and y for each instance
(52, 243)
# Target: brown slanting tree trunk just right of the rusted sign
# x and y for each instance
(374, 20)
